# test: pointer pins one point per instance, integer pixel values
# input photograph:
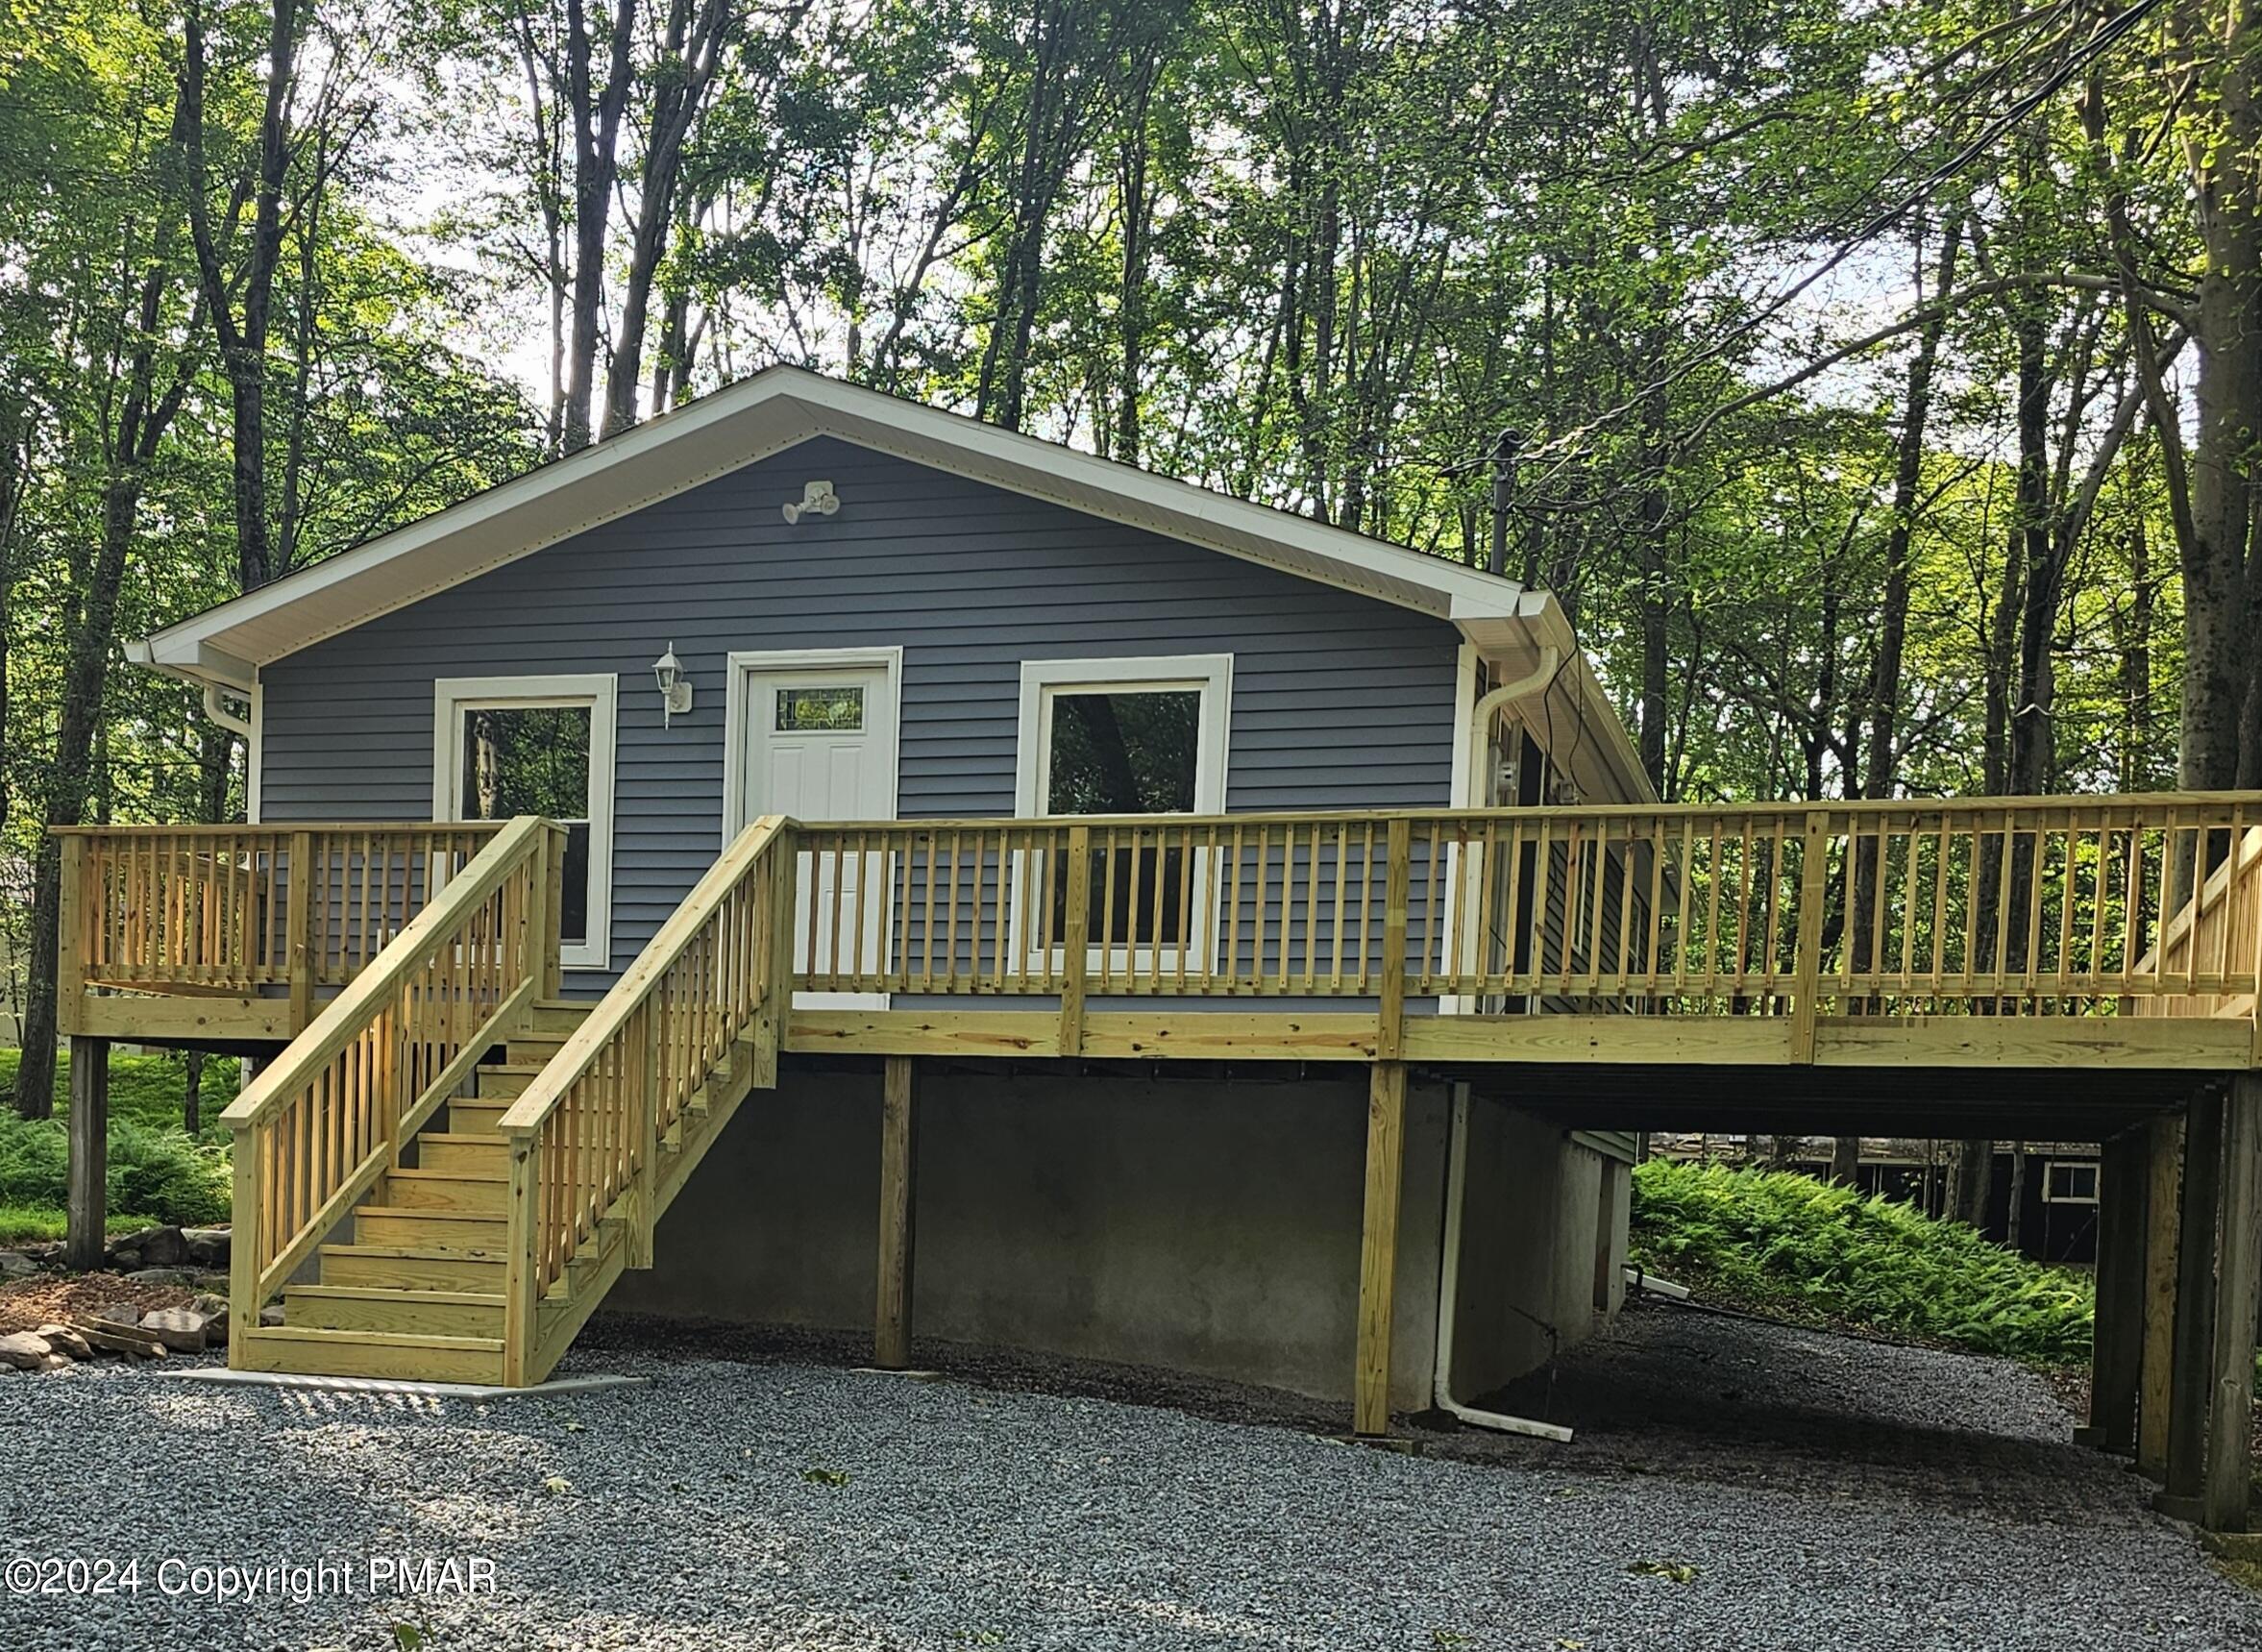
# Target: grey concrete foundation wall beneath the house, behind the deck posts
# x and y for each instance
(1191, 1225)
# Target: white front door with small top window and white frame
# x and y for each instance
(822, 746)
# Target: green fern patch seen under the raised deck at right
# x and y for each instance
(1781, 1241)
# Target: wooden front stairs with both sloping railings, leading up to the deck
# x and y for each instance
(447, 1173)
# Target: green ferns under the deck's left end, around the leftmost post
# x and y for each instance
(157, 1171)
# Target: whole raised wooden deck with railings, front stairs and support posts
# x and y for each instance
(2082, 952)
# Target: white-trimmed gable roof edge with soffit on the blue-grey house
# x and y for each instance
(775, 411)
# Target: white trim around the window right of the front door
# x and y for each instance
(1033, 764)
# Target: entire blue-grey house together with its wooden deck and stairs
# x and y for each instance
(822, 859)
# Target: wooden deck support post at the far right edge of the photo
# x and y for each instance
(2238, 1284)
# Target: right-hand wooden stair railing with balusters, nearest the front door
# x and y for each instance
(585, 1133)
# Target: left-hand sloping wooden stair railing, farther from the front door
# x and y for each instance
(336, 1108)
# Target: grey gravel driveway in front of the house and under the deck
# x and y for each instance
(1899, 1499)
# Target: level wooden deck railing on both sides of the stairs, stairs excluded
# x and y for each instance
(2017, 933)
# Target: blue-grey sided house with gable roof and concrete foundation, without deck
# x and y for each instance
(962, 626)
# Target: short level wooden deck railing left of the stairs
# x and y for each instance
(248, 909)
